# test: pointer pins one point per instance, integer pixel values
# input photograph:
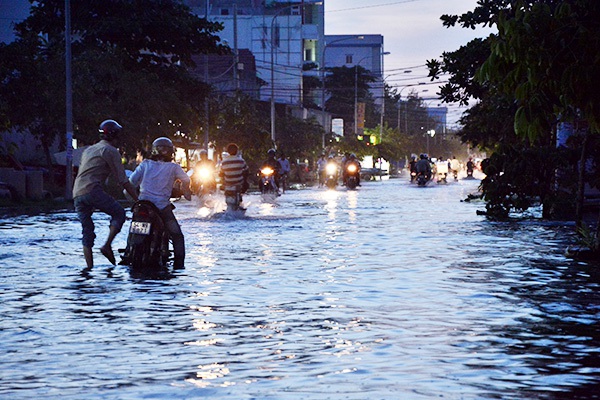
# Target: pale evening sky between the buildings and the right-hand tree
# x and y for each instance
(412, 32)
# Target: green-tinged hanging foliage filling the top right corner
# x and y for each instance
(546, 55)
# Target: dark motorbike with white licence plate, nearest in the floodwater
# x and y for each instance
(148, 242)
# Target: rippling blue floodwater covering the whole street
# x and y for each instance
(390, 291)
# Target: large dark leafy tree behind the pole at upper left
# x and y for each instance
(129, 63)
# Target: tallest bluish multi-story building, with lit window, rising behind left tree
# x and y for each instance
(283, 36)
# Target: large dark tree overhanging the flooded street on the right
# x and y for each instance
(538, 71)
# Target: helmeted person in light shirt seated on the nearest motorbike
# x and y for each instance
(156, 177)
